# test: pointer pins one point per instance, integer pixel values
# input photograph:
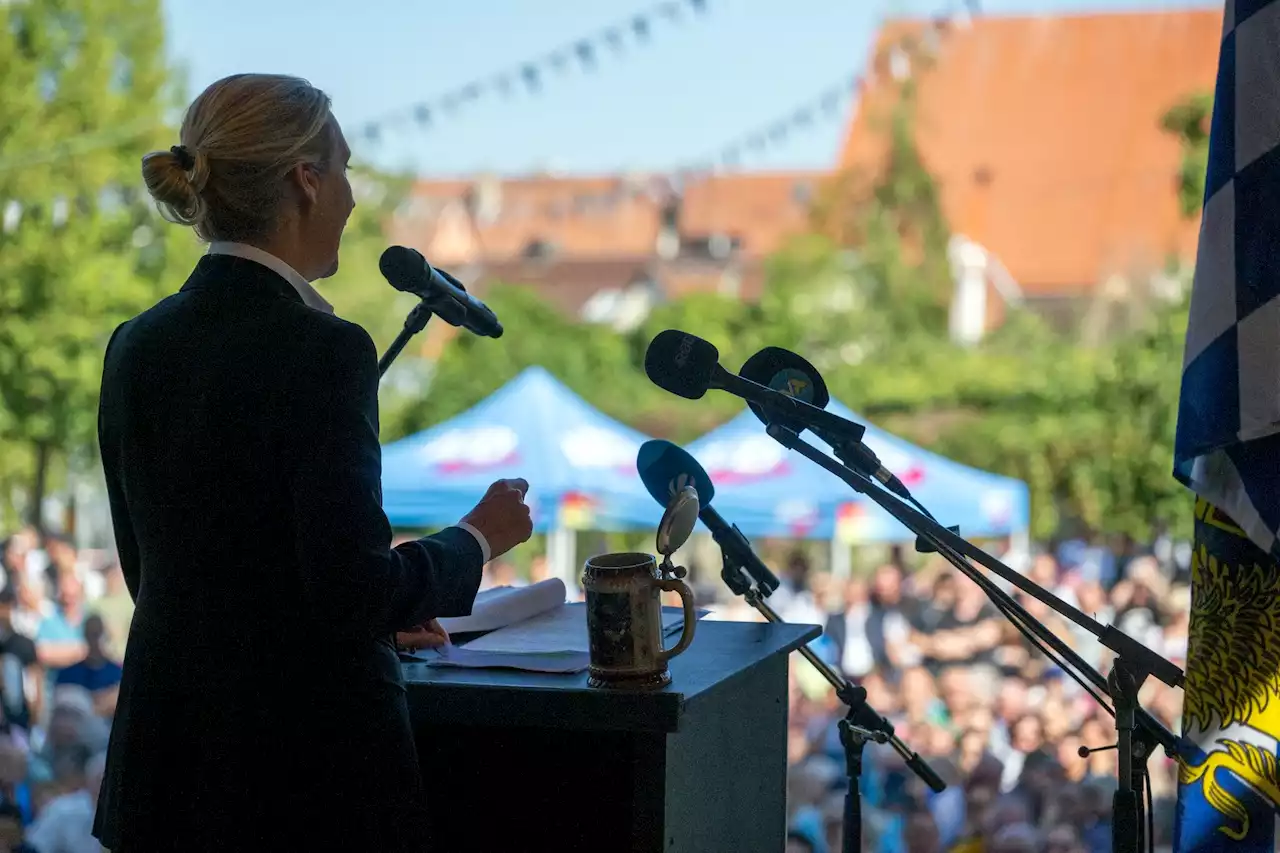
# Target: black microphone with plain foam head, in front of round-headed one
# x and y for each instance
(687, 367)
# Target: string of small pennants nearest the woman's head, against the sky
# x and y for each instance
(533, 75)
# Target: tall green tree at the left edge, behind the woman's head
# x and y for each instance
(84, 89)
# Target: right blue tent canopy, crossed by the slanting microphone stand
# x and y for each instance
(770, 491)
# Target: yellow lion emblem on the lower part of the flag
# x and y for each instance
(1233, 678)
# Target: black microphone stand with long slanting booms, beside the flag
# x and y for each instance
(1137, 732)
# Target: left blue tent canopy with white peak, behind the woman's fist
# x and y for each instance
(580, 464)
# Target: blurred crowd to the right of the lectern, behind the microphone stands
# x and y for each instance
(991, 714)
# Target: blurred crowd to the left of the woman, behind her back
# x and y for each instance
(65, 618)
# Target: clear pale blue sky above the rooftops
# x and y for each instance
(697, 86)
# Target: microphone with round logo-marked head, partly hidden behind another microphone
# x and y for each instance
(792, 375)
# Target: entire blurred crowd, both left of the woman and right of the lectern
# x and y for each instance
(993, 715)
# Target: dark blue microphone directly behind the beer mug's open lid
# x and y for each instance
(666, 469)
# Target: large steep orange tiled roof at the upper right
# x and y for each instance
(1044, 134)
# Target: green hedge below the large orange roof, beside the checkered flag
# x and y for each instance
(1089, 430)
